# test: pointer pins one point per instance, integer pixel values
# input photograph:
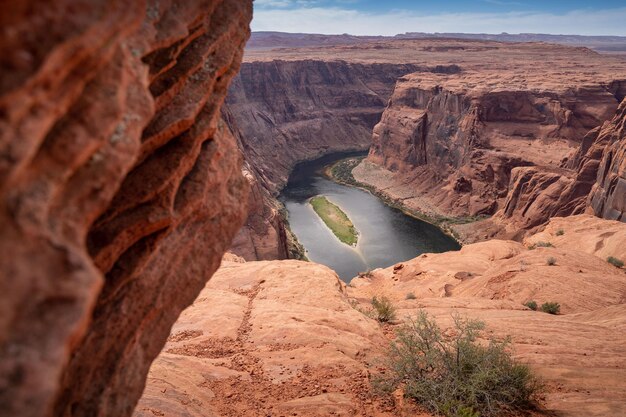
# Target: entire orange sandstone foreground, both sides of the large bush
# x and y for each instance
(282, 338)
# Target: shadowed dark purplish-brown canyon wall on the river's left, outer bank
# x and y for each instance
(284, 112)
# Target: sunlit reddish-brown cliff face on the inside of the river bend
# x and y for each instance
(458, 145)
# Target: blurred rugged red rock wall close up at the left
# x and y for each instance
(120, 189)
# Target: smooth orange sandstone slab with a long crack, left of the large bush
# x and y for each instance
(267, 338)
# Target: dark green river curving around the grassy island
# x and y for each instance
(386, 235)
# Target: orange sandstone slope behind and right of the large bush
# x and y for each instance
(581, 353)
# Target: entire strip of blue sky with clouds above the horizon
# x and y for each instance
(390, 17)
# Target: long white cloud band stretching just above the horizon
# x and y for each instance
(340, 20)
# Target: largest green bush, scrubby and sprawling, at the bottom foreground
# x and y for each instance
(452, 374)
